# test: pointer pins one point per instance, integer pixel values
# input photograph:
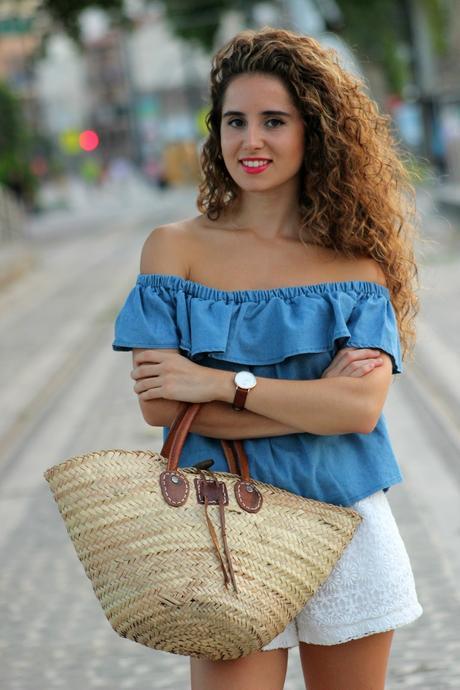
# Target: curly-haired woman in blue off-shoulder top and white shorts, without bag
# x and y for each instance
(299, 270)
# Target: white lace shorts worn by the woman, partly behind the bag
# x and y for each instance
(371, 588)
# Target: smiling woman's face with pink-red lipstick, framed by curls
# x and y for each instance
(262, 132)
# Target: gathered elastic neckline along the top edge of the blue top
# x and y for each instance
(202, 291)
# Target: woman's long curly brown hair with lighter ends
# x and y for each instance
(356, 196)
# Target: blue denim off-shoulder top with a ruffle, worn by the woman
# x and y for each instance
(286, 333)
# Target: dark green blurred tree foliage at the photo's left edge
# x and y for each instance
(15, 147)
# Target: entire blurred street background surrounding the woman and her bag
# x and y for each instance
(102, 108)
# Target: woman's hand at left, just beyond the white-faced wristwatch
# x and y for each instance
(171, 376)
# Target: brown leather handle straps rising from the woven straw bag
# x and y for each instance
(234, 452)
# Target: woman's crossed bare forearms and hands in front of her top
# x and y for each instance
(176, 377)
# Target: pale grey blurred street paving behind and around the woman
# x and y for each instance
(54, 634)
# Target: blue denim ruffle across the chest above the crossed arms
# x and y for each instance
(256, 327)
